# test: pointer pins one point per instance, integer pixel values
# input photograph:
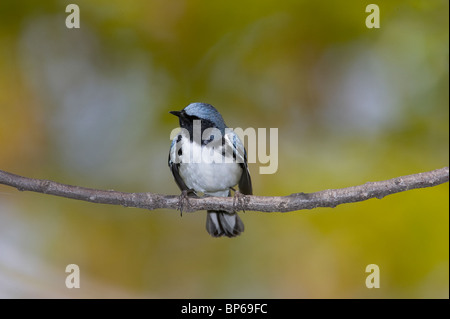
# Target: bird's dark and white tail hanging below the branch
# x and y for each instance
(220, 223)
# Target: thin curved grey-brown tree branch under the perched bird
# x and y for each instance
(293, 202)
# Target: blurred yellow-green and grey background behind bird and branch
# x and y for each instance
(89, 107)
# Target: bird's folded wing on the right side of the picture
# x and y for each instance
(233, 145)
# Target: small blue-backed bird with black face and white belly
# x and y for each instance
(211, 165)
